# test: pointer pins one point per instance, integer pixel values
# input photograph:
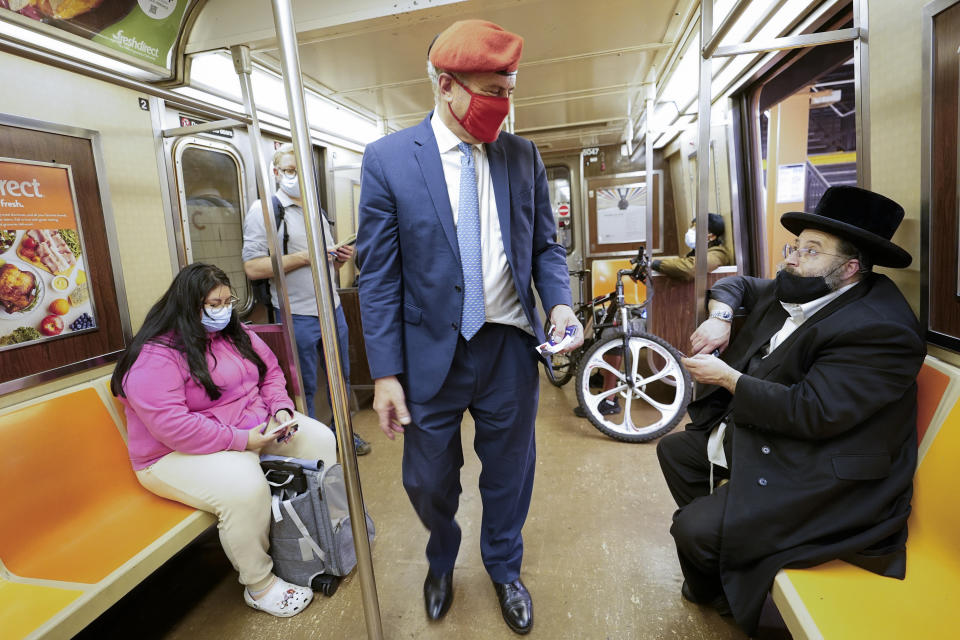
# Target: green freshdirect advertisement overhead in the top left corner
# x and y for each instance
(143, 29)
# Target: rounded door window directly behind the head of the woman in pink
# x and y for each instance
(212, 207)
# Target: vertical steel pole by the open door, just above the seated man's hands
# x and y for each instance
(703, 158)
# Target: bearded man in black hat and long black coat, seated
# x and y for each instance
(802, 448)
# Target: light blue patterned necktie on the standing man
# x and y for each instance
(468, 237)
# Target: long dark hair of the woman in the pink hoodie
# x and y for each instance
(174, 321)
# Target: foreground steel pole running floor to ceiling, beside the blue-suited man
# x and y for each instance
(322, 282)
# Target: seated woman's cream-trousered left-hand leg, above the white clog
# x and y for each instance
(230, 485)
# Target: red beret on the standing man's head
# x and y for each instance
(470, 46)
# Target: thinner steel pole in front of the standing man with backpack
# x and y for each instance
(243, 66)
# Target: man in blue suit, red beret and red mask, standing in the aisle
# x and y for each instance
(456, 226)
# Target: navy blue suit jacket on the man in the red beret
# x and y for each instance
(411, 281)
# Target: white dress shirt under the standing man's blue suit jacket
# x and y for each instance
(500, 300)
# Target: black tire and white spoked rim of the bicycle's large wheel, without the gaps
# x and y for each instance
(680, 385)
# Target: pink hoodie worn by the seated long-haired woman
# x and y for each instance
(168, 411)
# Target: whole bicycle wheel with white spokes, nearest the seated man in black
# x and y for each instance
(659, 395)
